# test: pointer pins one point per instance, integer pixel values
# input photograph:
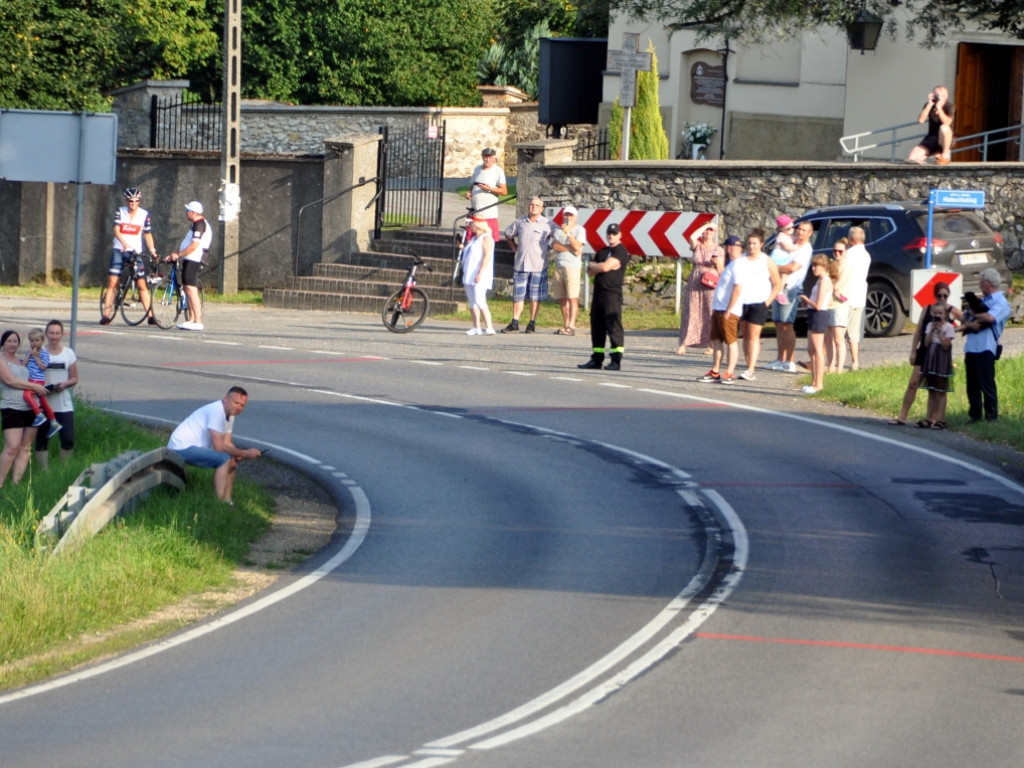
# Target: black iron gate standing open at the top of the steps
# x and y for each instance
(411, 166)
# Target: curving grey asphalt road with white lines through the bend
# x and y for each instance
(544, 567)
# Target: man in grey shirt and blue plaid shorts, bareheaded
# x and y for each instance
(530, 237)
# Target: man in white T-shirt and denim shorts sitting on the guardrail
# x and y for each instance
(204, 440)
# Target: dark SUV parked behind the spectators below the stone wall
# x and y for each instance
(897, 236)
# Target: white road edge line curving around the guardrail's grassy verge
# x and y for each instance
(356, 540)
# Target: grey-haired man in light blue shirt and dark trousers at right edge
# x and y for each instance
(979, 349)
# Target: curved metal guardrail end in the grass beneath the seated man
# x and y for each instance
(104, 492)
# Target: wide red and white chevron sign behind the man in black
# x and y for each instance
(645, 233)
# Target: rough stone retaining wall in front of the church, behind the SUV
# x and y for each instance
(753, 194)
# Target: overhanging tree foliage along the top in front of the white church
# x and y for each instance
(762, 21)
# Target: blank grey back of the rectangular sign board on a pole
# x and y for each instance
(39, 146)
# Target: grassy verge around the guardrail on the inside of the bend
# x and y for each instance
(174, 545)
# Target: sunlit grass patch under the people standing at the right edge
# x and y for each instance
(881, 391)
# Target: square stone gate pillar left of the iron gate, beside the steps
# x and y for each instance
(349, 225)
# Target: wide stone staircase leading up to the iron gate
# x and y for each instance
(370, 277)
